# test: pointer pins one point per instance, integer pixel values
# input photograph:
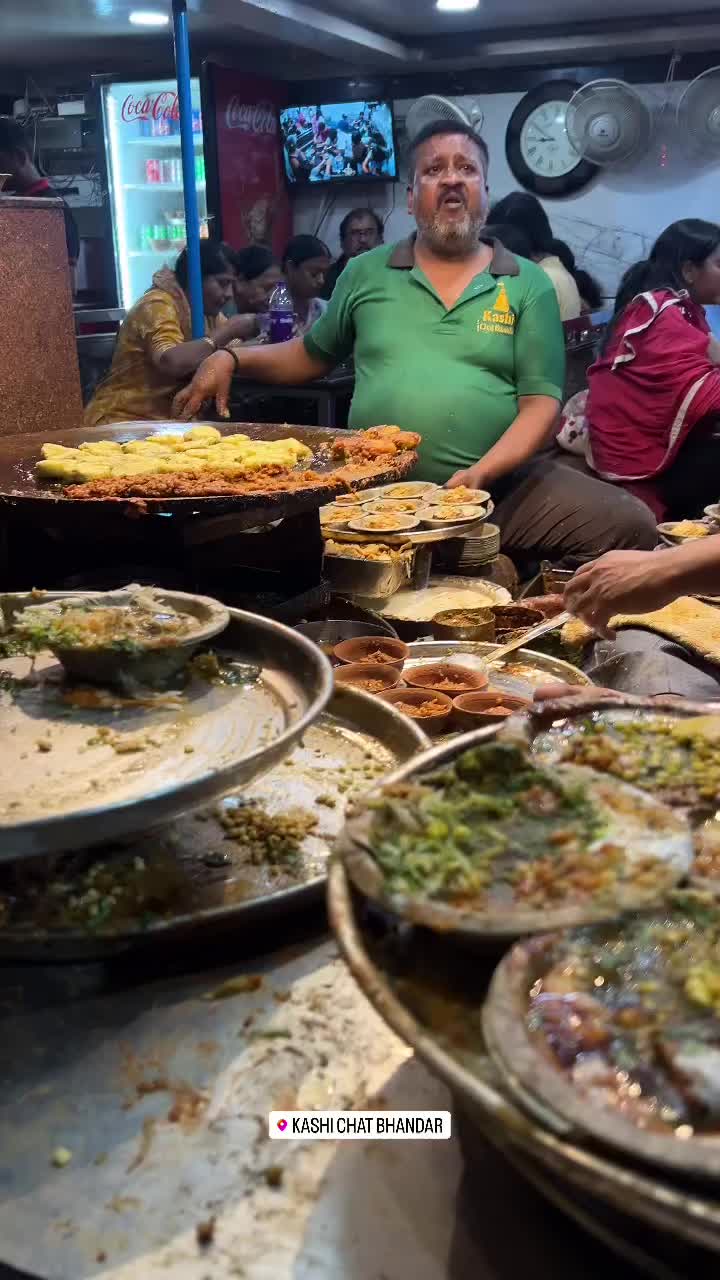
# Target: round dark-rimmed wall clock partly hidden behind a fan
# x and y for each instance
(537, 147)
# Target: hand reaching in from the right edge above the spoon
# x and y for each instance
(621, 583)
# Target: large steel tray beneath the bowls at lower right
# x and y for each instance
(432, 999)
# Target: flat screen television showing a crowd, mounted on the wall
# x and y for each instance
(339, 143)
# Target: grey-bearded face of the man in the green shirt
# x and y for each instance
(449, 195)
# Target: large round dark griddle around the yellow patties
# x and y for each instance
(20, 488)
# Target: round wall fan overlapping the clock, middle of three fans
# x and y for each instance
(608, 122)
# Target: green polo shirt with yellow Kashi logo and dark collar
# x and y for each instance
(454, 376)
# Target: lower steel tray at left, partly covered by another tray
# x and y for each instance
(354, 742)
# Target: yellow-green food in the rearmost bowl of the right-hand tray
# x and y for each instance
(677, 760)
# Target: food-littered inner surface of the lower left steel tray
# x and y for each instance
(276, 835)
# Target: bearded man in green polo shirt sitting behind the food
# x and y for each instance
(458, 340)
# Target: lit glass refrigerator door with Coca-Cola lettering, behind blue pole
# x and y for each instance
(145, 180)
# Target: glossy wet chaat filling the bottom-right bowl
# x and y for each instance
(631, 1014)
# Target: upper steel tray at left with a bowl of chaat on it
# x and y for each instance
(66, 784)
